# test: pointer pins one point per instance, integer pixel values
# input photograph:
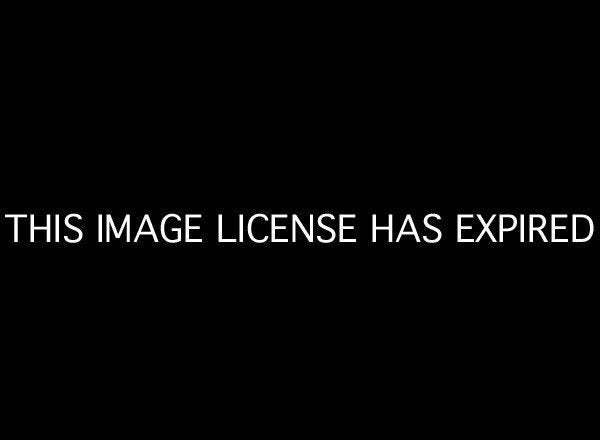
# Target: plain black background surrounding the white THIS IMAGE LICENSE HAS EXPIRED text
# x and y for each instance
(368, 113)
